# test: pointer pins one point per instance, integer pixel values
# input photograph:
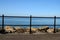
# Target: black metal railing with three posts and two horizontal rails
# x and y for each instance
(30, 21)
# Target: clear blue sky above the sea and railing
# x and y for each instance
(30, 7)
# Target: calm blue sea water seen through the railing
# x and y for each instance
(26, 21)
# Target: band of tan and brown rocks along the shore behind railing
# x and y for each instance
(43, 29)
